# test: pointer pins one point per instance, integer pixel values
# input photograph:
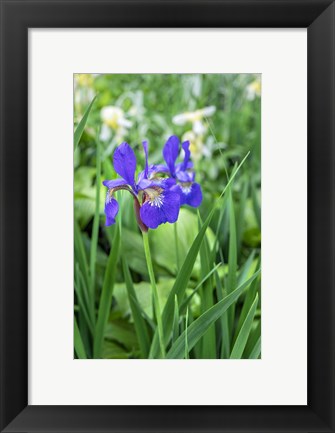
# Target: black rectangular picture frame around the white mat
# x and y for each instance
(318, 16)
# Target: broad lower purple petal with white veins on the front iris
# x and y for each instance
(165, 208)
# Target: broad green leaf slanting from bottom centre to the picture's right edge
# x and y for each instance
(198, 328)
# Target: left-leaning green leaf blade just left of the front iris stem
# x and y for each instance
(139, 322)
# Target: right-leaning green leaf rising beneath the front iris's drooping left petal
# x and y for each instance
(106, 295)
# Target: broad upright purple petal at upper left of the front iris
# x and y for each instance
(125, 163)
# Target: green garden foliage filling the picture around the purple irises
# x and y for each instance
(193, 288)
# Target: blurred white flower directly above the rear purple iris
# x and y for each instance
(199, 129)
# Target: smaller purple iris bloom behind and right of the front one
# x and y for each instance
(190, 191)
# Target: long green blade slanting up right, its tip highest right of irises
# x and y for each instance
(184, 274)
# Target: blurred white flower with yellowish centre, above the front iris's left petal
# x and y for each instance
(114, 120)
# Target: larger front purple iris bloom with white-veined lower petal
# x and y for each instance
(155, 200)
